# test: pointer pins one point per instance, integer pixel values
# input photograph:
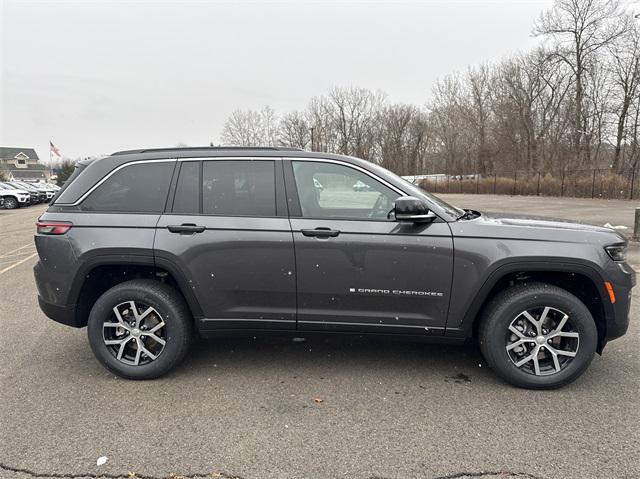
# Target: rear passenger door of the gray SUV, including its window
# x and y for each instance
(226, 232)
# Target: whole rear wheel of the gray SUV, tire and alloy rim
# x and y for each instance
(140, 329)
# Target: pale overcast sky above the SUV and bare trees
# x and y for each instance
(100, 76)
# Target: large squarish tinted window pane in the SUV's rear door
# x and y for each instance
(238, 188)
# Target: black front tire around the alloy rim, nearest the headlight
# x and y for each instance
(494, 334)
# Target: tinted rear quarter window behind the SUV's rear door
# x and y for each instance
(140, 188)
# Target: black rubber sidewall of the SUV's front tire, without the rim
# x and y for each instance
(494, 344)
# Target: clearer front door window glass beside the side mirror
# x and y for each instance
(329, 190)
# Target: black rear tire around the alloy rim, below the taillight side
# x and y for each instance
(177, 329)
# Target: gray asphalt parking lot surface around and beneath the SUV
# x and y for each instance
(320, 408)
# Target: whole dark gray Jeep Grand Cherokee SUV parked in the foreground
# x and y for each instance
(147, 247)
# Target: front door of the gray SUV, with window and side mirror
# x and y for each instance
(356, 268)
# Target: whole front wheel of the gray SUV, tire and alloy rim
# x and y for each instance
(538, 336)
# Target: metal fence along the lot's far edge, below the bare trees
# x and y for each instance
(596, 183)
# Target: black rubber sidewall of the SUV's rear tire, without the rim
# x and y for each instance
(174, 330)
